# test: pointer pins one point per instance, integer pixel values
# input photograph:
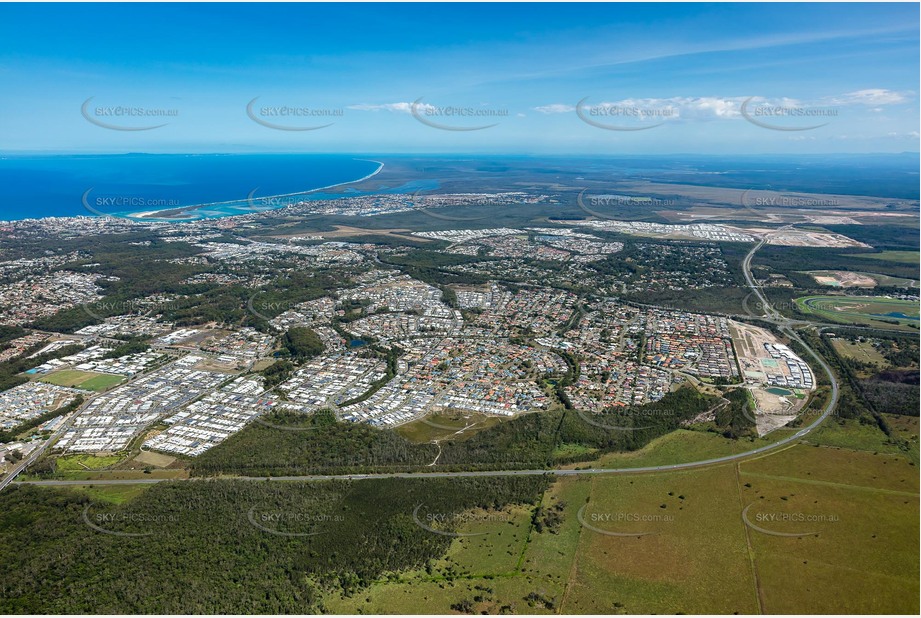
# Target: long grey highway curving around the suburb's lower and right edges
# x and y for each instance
(773, 316)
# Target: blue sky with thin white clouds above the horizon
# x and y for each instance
(541, 78)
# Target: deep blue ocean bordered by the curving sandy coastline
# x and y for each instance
(74, 185)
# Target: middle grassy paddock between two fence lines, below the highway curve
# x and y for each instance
(694, 545)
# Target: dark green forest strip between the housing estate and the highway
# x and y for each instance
(292, 444)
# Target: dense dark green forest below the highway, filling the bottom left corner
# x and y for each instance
(226, 546)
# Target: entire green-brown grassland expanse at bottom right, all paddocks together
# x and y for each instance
(677, 541)
